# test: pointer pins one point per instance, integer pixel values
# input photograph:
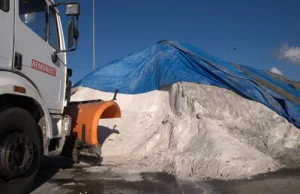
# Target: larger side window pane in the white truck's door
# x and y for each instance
(33, 13)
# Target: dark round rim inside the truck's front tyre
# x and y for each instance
(16, 155)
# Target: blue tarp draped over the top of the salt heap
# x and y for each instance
(169, 62)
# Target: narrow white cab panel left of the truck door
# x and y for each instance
(6, 32)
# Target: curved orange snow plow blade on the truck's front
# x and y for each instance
(86, 115)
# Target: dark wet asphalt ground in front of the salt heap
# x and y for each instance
(79, 180)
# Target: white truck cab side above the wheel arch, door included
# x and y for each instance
(35, 28)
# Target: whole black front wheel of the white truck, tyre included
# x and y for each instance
(20, 151)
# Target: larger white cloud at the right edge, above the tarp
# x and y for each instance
(290, 54)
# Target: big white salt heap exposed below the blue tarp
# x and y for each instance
(196, 131)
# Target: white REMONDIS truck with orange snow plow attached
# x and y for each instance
(36, 115)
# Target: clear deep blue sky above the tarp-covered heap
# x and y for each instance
(257, 28)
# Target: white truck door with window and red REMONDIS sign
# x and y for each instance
(36, 39)
